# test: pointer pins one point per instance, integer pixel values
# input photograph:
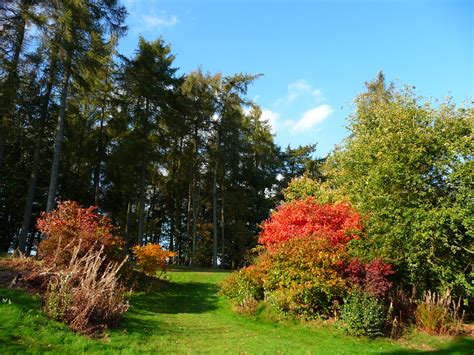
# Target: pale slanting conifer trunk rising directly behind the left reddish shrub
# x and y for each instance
(53, 183)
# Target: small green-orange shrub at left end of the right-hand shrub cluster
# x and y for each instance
(245, 285)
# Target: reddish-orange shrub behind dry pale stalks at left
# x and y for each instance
(71, 225)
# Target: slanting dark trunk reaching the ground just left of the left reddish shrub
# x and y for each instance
(25, 227)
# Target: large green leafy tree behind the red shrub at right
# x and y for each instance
(409, 166)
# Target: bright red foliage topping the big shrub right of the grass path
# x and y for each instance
(337, 223)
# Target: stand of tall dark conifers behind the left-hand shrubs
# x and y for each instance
(166, 156)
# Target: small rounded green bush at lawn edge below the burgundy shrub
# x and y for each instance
(364, 315)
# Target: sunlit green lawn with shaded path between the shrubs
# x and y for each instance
(187, 316)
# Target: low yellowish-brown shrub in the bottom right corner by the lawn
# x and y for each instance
(438, 313)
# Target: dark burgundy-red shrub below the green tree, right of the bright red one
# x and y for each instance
(371, 277)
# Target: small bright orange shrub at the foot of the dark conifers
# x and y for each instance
(151, 258)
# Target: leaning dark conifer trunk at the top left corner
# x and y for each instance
(12, 82)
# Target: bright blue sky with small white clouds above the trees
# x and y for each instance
(316, 55)
